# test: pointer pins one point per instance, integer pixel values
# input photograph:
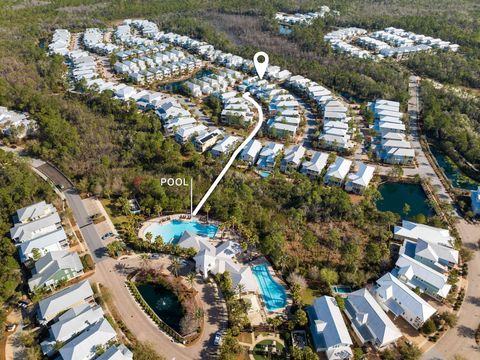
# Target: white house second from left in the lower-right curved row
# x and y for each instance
(370, 323)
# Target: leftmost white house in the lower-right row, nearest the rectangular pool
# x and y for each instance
(328, 329)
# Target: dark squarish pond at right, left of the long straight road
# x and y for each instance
(396, 194)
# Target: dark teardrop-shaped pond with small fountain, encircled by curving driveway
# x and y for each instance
(163, 302)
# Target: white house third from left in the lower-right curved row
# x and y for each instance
(400, 300)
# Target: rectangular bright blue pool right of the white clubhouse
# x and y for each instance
(272, 292)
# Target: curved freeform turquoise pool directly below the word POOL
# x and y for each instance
(172, 230)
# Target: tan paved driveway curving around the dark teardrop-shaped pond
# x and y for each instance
(113, 277)
